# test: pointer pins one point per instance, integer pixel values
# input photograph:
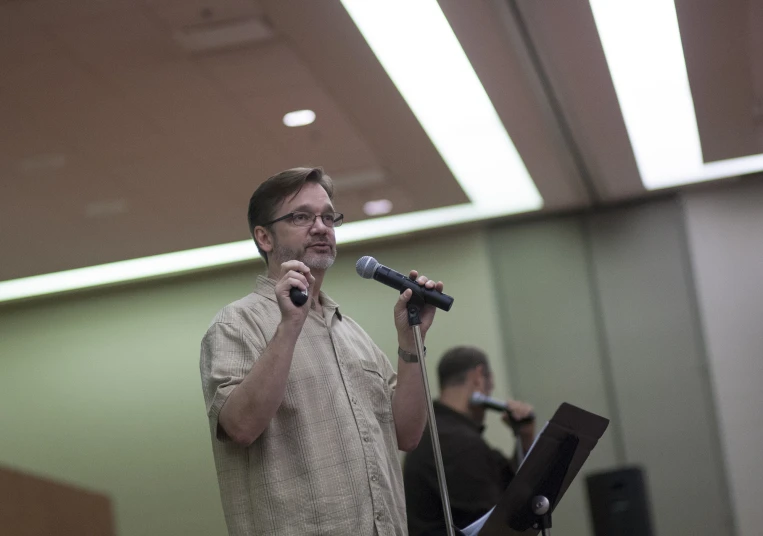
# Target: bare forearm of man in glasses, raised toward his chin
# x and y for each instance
(253, 403)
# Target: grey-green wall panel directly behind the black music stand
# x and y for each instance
(550, 331)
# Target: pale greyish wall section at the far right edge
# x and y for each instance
(725, 229)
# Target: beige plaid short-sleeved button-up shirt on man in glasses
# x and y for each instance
(327, 463)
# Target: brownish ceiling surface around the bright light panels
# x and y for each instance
(121, 138)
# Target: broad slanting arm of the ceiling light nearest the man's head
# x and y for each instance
(417, 47)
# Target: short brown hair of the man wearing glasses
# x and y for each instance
(270, 195)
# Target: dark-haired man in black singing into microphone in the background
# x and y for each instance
(476, 473)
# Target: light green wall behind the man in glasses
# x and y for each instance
(102, 389)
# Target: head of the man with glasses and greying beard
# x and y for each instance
(299, 187)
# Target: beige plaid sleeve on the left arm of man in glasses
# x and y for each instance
(227, 356)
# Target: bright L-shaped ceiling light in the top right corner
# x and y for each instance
(642, 45)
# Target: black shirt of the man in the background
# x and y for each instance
(476, 475)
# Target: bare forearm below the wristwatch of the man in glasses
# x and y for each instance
(409, 405)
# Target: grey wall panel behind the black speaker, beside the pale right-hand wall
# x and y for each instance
(658, 364)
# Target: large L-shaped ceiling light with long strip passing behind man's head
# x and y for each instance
(417, 47)
